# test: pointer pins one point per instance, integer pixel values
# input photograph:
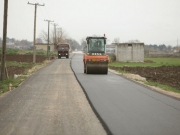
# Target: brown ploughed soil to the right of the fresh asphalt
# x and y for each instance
(168, 75)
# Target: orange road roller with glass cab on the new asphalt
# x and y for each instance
(95, 59)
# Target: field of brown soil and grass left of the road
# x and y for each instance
(19, 65)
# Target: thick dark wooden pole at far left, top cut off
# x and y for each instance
(3, 57)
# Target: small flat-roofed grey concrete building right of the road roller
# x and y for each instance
(130, 52)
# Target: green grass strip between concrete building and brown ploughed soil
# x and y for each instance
(157, 63)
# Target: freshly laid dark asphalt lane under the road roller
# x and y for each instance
(128, 108)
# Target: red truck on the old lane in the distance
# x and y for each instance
(63, 50)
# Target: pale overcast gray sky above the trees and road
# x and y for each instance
(150, 21)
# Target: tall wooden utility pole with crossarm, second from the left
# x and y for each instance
(34, 48)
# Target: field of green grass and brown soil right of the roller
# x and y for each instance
(162, 71)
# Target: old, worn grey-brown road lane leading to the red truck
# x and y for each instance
(49, 102)
